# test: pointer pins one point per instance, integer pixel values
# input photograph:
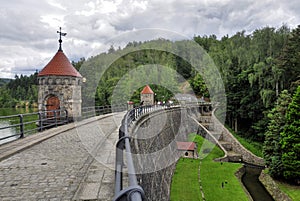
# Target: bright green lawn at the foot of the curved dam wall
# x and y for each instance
(185, 185)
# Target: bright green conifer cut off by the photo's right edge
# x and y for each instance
(290, 142)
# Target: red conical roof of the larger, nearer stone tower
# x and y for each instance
(59, 65)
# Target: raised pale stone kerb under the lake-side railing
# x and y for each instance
(11, 148)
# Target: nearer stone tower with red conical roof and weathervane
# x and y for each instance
(60, 85)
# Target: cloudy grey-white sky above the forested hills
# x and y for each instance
(28, 38)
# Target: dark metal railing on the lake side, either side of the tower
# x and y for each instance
(17, 126)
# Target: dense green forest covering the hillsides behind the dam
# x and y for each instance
(260, 71)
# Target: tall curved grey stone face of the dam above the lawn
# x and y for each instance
(154, 136)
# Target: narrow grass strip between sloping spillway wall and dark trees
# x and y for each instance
(254, 147)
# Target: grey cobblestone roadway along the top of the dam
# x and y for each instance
(74, 165)
